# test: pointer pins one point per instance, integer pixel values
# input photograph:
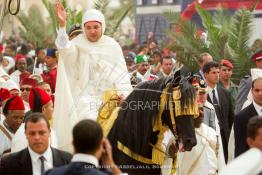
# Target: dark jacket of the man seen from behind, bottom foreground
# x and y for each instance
(75, 168)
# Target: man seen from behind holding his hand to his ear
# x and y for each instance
(90, 147)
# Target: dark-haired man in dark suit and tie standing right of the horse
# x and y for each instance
(221, 100)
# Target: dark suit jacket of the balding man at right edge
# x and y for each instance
(240, 128)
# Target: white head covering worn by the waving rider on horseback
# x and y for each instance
(94, 15)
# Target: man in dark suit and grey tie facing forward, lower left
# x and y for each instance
(38, 156)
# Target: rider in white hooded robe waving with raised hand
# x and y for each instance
(88, 65)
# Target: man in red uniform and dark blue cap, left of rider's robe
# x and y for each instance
(49, 76)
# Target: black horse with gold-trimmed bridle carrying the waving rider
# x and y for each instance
(133, 136)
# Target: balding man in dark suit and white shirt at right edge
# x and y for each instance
(242, 118)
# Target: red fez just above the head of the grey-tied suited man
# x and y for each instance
(36, 95)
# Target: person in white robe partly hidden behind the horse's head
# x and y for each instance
(206, 157)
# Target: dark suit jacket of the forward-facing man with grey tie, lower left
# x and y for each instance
(19, 163)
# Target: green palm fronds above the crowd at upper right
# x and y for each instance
(228, 38)
